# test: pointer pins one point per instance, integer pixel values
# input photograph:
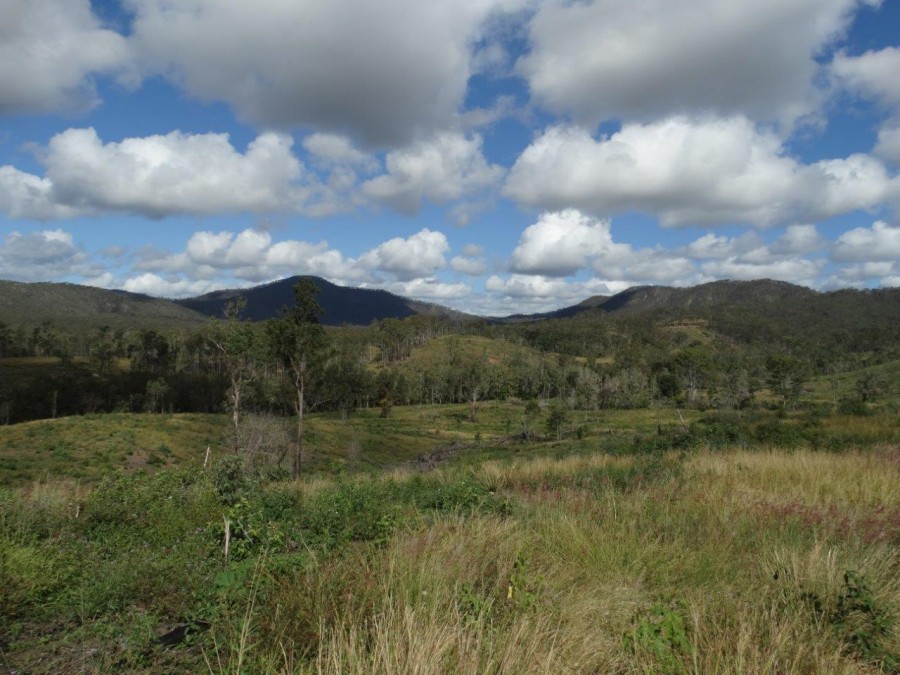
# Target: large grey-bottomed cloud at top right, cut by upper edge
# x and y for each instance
(608, 59)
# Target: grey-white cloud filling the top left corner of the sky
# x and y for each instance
(49, 51)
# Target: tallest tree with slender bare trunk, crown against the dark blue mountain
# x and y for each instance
(297, 340)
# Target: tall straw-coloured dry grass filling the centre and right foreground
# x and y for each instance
(749, 549)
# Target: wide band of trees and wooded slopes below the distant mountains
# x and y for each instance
(594, 360)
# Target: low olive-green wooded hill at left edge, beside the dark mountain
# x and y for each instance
(30, 304)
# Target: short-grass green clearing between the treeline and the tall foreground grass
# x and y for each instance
(88, 448)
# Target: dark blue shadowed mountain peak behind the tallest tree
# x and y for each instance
(341, 304)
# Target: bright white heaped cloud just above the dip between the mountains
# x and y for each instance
(561, 243)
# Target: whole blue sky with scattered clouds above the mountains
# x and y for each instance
(495, 156)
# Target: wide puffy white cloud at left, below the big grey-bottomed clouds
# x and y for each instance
(176, 173)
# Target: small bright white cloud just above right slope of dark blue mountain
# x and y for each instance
(419, 255)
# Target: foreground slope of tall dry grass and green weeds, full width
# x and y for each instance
(698, 561)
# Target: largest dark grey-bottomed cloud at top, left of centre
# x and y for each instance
(345, 66)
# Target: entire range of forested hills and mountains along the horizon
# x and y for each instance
(760, 305)
